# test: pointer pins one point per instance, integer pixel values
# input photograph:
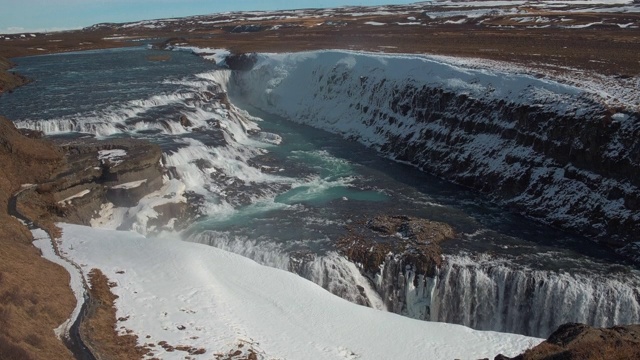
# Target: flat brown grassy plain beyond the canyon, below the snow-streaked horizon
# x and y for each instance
(609, 50)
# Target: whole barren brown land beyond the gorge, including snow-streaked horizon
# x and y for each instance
(572, 37)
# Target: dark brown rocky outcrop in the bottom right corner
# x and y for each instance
(578, 341)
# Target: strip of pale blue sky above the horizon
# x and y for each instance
(51, 15)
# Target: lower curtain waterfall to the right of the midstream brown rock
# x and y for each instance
(495, 295)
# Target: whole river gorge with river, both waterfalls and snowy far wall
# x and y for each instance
(529, 185)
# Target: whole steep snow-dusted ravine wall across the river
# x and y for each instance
(544, 149)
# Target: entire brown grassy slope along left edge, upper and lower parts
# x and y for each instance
(35, 297)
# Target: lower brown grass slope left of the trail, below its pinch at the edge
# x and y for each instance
(34, 299)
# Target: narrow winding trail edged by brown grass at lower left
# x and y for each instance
(72, 337)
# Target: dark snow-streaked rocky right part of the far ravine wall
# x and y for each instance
(574, 171)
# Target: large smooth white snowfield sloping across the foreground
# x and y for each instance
(203, 297)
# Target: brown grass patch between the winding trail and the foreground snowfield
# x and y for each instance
(98, 330)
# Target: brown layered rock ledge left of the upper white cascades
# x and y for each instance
(97, 172)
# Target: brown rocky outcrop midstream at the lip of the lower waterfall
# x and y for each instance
(400, 254)
